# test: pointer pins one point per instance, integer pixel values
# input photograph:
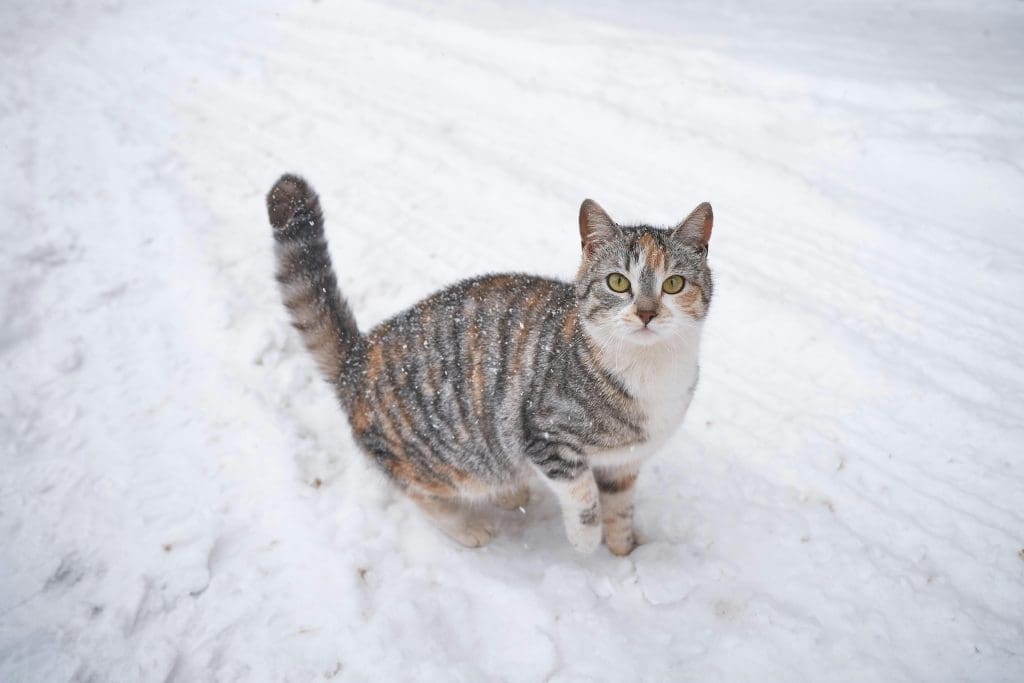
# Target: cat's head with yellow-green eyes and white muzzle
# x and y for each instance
(644, 285)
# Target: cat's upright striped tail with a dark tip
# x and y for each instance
(308, 282)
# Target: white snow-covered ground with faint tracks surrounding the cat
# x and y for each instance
(180, 496)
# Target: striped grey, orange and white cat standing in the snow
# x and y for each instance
(470, 394)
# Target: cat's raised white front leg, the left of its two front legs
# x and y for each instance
(573, 482)
